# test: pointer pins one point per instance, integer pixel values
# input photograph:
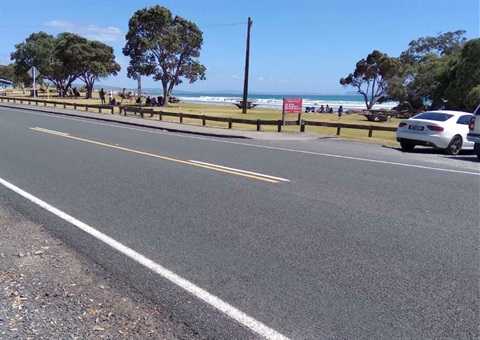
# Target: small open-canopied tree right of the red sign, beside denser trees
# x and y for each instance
(372, 75)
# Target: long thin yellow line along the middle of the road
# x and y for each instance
(154, 155)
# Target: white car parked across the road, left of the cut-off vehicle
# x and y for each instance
(443, 129)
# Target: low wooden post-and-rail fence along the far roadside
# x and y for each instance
(124, 110)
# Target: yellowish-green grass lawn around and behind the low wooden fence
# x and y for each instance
(380, 137)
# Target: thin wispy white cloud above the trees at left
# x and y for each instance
(91, 32)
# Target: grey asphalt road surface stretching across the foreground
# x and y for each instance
(318, 239)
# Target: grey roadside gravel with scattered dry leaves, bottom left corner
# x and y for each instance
(48, 291)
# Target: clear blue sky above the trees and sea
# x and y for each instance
(296, 46)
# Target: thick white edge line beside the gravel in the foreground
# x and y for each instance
(234, 313)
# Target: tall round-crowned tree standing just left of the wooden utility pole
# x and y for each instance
(164, 47)
